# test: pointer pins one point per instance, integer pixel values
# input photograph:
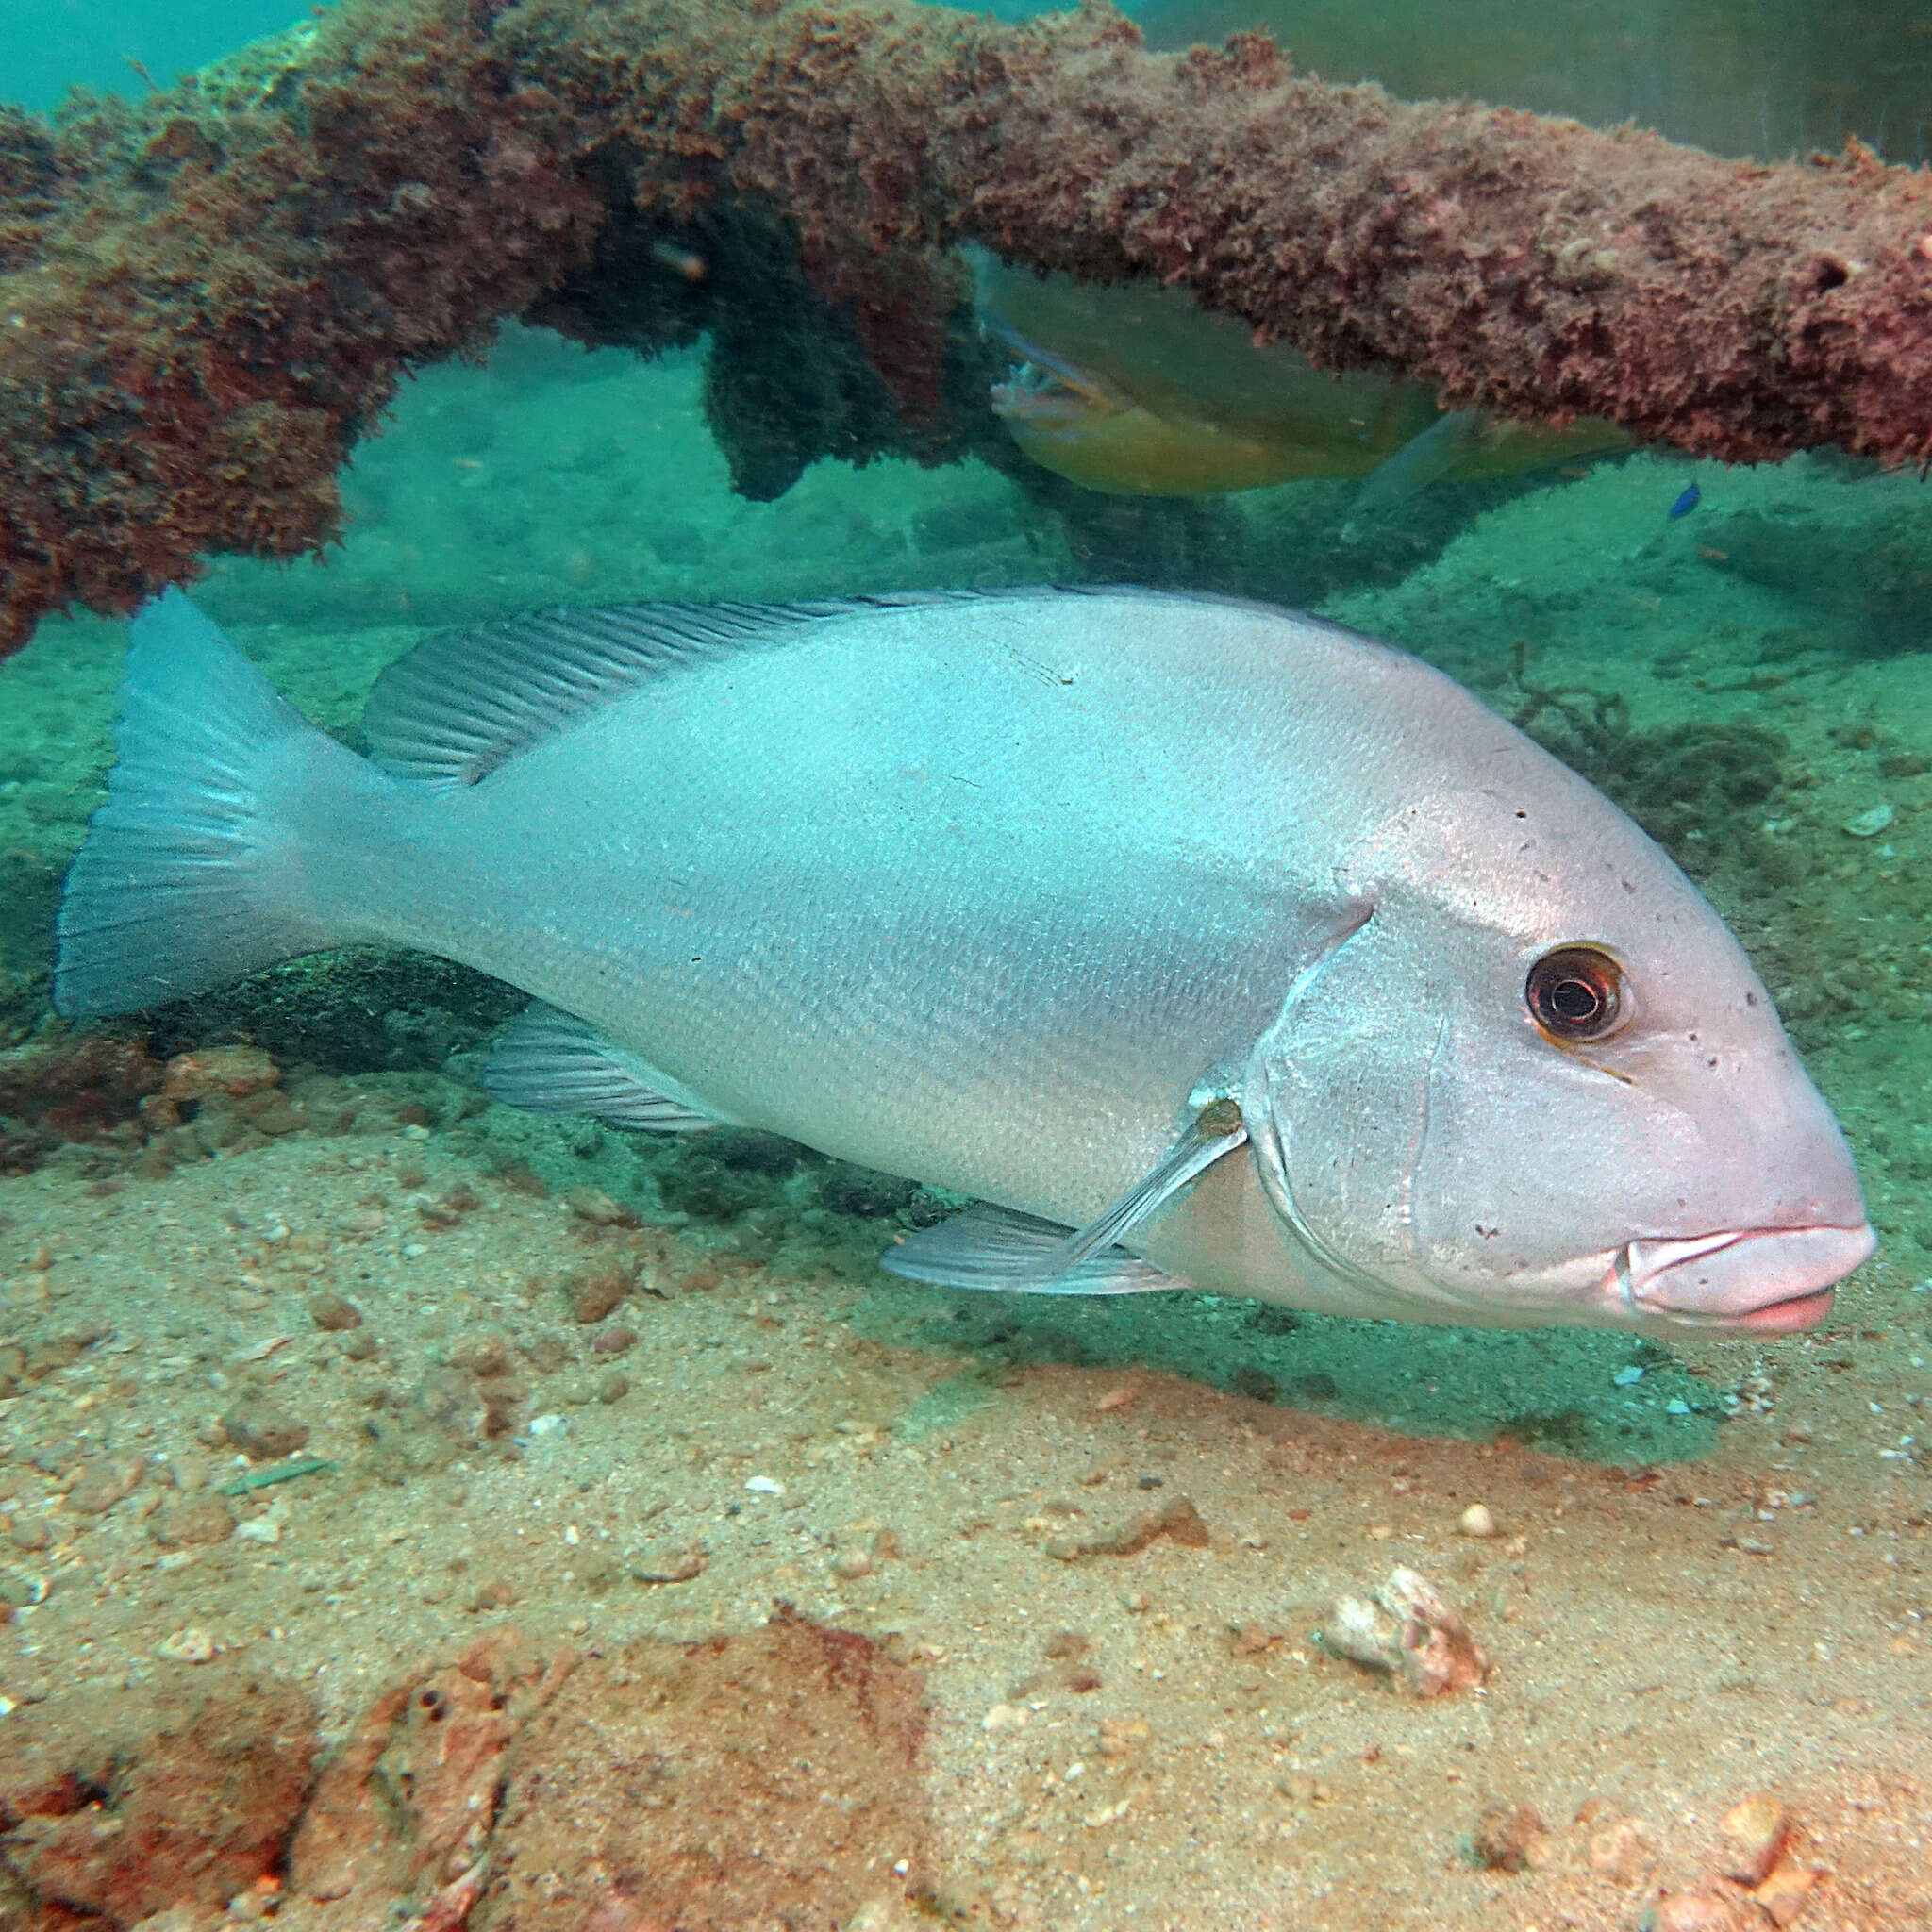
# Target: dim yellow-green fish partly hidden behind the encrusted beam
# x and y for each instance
(1137, 391)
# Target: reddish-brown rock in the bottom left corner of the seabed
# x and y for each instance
(179, 1792)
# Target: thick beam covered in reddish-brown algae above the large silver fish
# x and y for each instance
(210, 297)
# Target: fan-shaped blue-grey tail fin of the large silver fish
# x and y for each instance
(188, 876)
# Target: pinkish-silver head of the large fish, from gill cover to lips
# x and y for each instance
(1547, 1087)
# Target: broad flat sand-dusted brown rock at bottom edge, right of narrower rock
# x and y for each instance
(741, 1782)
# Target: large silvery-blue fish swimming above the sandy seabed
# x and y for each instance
(1197, 942)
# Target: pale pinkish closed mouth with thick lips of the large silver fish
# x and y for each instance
(1744, 1280)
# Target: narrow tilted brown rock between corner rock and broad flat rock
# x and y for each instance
(407, 1805)
